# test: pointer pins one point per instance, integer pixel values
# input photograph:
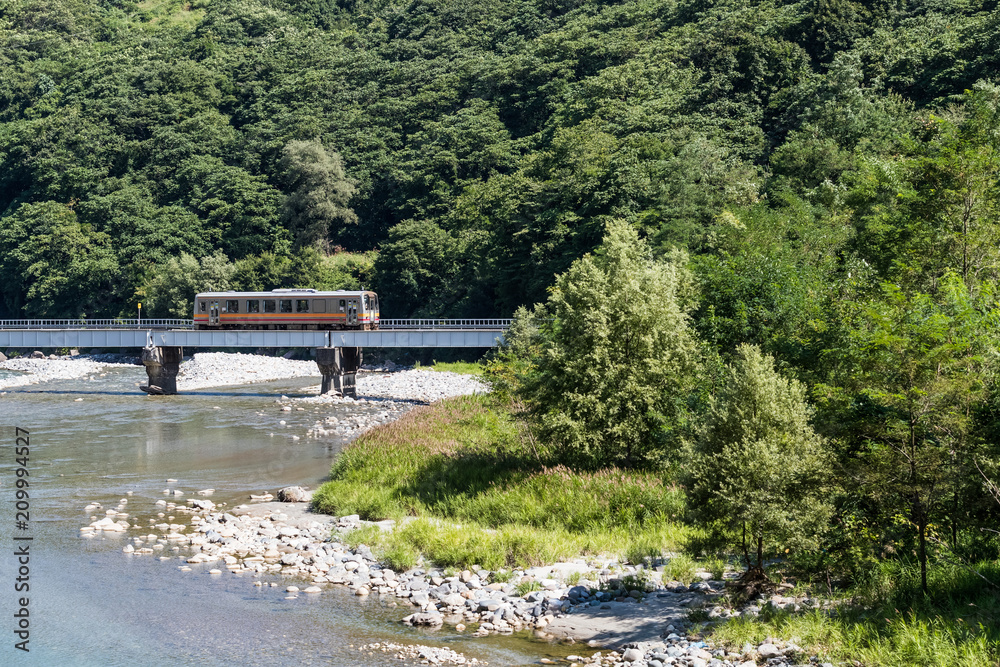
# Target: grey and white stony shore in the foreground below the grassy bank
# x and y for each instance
(626, 610)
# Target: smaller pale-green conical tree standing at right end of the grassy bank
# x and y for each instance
(760, 474)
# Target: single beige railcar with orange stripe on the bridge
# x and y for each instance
(287, 309)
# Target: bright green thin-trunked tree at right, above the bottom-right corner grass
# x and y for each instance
(911, 369)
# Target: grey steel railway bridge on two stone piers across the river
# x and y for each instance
(338, 352)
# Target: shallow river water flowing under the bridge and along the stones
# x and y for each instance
(90, 604)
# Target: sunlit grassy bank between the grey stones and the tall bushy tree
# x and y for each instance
(467, 462)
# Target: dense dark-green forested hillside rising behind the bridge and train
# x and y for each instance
(481, 147)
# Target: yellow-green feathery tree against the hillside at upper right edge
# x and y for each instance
(934, 210)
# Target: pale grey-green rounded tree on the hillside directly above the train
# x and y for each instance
(319, 192)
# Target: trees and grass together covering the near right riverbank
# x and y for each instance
(614, 428)
